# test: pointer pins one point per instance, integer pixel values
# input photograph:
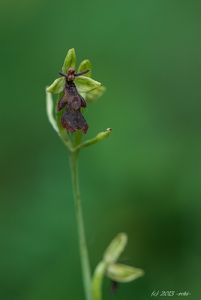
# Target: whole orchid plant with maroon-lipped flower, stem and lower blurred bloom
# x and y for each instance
(75, 90)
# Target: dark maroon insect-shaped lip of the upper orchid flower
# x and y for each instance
(72, 118)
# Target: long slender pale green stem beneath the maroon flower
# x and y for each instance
(80, 223)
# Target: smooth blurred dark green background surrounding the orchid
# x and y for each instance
(144, 179)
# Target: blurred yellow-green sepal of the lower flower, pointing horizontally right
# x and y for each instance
(123, 273)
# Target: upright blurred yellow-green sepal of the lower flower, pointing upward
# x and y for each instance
(115, 248)
